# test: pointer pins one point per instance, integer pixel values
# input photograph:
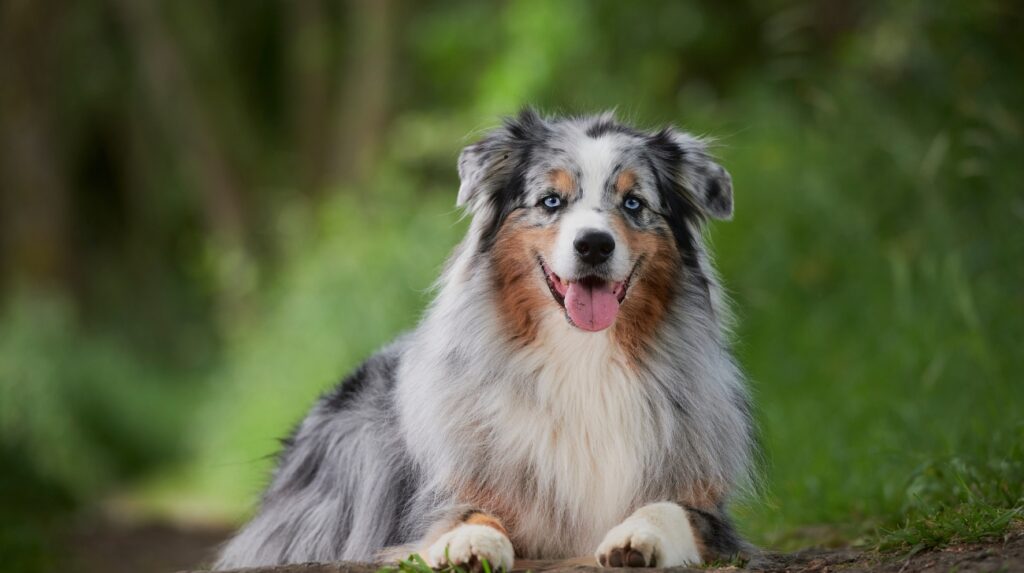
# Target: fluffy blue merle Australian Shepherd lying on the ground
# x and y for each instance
(570, 392)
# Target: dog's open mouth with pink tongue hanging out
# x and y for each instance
(591, 303)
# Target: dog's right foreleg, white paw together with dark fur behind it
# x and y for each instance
(668, 535)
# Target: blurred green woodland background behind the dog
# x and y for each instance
(212, 210)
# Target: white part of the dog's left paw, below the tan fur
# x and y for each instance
(468, 545)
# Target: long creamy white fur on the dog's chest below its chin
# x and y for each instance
(585, 430)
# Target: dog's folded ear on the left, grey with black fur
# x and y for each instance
(486, 168)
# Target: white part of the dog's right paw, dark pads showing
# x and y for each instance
(657, 536)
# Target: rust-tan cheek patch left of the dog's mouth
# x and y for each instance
(520, 288)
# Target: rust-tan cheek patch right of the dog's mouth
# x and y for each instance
(651, 291)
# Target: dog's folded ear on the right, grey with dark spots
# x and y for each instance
(687, 161)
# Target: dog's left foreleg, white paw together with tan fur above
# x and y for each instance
(477, 537)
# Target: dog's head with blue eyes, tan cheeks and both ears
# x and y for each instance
(589, 217)
